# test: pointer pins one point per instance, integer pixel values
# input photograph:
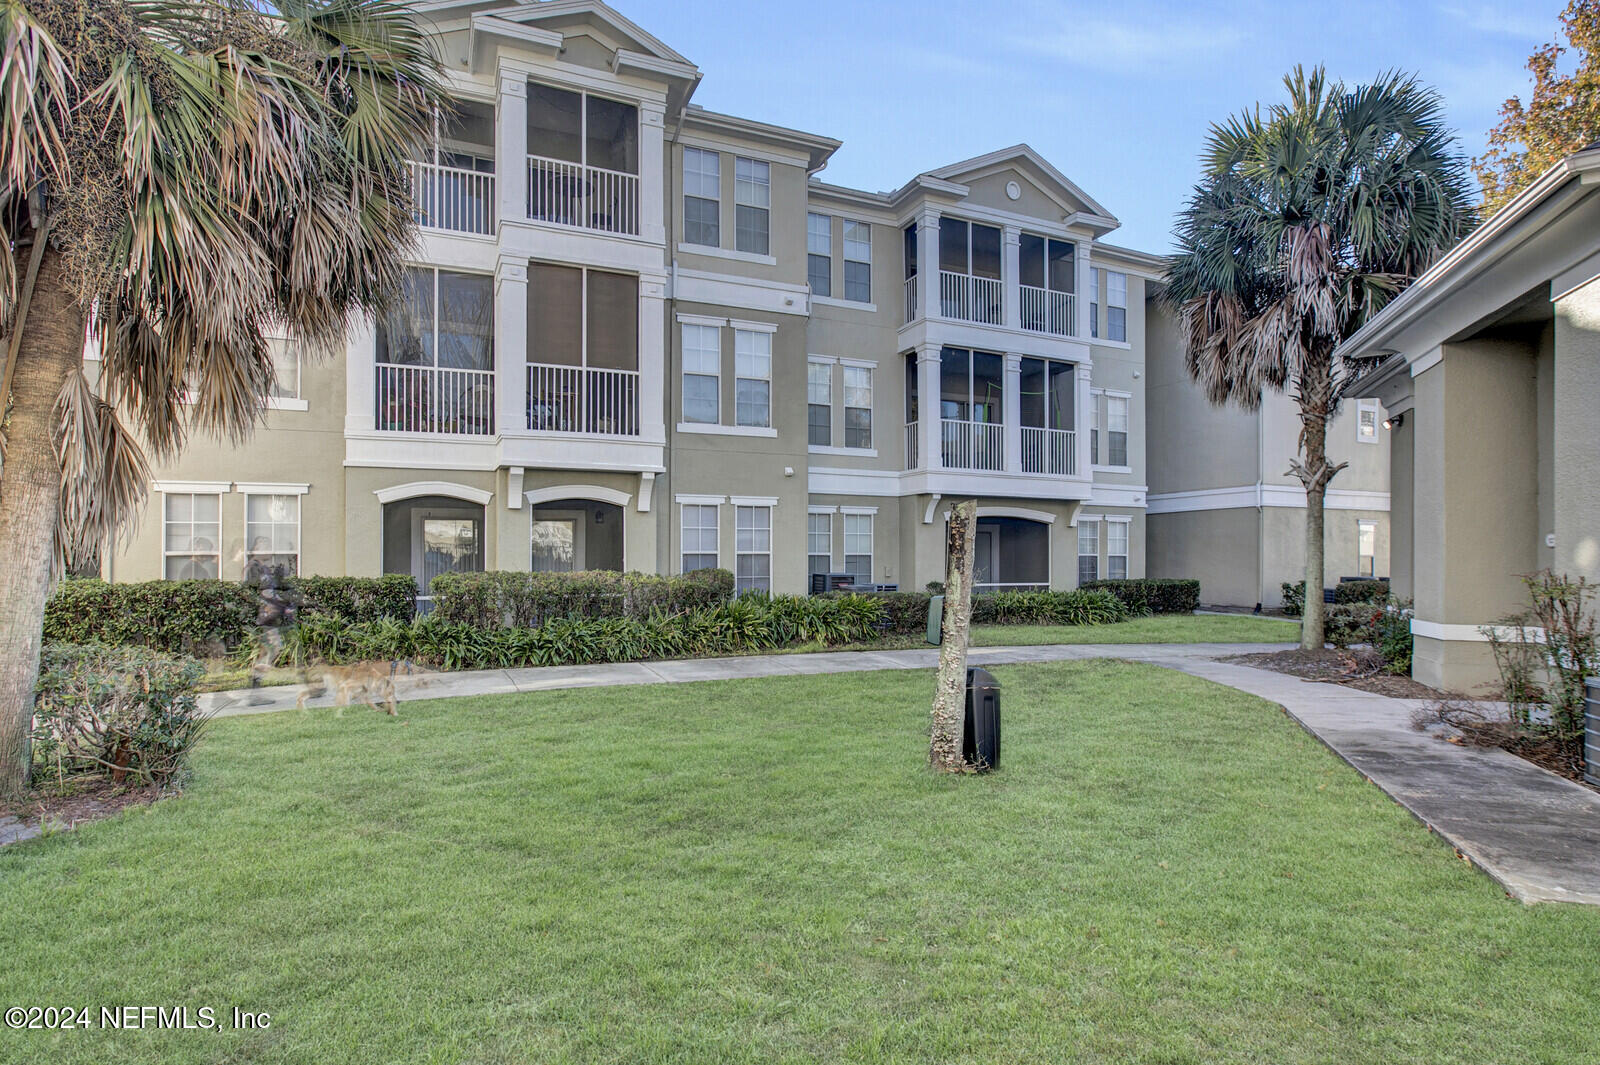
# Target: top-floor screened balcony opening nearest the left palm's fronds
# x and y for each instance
(454, 186)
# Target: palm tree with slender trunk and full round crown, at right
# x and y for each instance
(1306, 221)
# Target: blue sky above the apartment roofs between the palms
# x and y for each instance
(1118, 95)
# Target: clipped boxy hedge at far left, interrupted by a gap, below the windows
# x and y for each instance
(206, 618)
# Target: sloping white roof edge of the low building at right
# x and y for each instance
(1446, 276)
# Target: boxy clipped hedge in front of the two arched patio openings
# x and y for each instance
(524, 600)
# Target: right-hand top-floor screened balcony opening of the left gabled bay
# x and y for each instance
(583, 161)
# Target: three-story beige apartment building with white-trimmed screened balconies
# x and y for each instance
(641, 335)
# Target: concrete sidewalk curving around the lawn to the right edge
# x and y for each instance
(1534, 832)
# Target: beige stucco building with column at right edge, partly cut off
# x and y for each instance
(1492, 377)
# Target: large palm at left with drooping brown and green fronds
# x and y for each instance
(177, 175)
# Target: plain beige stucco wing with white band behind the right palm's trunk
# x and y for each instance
(1223, 505)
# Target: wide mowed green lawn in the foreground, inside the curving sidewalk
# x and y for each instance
(1164, 871)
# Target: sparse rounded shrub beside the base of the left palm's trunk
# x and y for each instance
(124, 714)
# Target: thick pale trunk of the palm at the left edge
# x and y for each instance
(30, 508)
